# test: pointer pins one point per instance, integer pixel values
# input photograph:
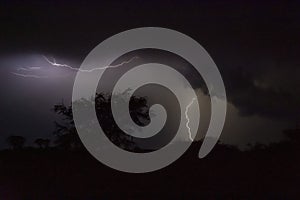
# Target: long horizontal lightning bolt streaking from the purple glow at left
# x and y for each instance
(54, 63)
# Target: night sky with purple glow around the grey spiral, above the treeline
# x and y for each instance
(255, 46)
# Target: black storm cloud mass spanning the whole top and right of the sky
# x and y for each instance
(251, 43)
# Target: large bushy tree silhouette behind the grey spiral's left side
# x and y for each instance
(67, 137)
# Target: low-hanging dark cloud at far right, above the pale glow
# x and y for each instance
(262, 94)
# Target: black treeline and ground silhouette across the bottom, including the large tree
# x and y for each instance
(65, 170)
